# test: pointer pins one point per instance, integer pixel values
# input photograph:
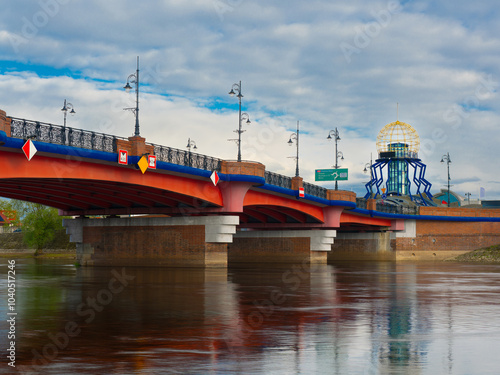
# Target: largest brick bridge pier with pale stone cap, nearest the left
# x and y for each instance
(153, 241)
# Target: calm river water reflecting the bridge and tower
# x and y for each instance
(346, 318)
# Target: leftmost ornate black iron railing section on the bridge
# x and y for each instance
(57, 134)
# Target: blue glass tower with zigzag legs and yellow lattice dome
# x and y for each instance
(398, 145)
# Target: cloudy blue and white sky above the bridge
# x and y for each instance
(354, 66)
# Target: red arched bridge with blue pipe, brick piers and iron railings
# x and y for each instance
(172, 213)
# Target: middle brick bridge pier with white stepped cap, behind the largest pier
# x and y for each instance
(281, 246)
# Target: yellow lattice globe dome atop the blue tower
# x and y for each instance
(398, 136)
